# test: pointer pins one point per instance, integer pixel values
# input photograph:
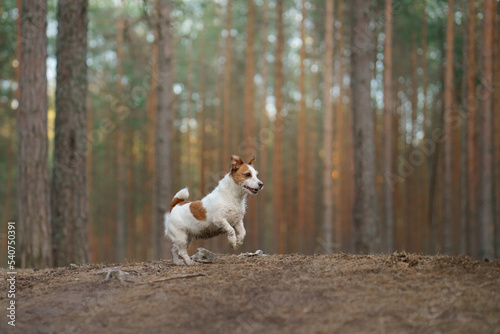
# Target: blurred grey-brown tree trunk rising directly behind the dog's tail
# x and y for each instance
(163, 126)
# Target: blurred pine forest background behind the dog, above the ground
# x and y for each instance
(376, 125)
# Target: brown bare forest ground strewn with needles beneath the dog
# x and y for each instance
(388, 293)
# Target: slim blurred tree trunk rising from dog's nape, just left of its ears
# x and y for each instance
(227, 88)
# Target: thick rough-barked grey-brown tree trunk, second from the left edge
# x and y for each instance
(69, 181)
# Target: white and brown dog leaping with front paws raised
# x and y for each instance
(220, 212)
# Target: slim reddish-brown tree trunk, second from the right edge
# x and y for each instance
(472, 216)
